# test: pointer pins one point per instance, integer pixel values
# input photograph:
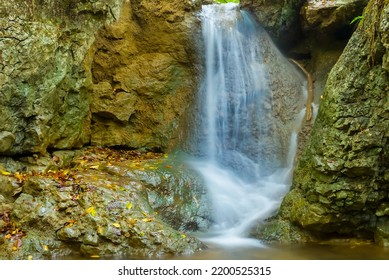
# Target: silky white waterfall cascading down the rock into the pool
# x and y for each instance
(245, 138)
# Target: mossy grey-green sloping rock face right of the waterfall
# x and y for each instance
(340, 185)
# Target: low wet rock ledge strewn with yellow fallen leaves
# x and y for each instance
(138, 208)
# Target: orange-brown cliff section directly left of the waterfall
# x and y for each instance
(144, 75)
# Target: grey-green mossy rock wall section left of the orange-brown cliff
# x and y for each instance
(44, 75)
